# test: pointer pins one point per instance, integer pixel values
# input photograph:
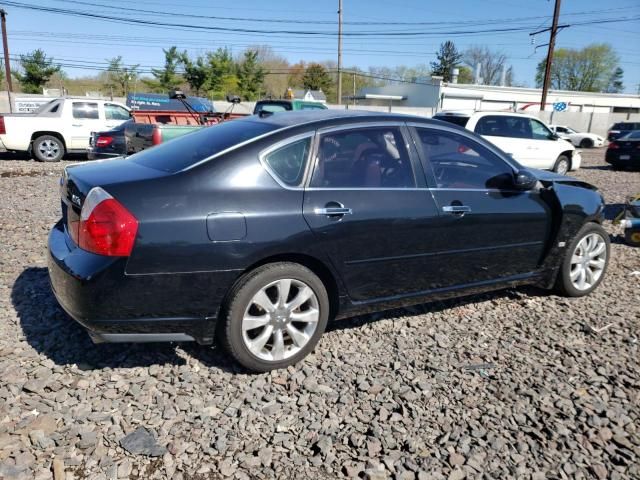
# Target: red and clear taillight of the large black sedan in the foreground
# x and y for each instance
(106, 227)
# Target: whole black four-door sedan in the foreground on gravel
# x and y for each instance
(259, 231)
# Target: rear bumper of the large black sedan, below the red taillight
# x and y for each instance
(114, 307)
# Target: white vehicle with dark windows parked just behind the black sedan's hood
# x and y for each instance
(524, 137)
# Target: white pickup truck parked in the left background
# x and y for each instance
(63, 125)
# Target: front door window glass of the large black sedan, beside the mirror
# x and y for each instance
(458, 162)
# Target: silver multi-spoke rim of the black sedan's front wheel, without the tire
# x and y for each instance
(588, 261)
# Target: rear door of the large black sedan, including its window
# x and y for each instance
(371, 211)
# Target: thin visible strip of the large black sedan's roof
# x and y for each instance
(329, 117)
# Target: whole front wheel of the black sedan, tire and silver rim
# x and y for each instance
(585, 262)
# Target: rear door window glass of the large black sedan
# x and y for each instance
(375, 157)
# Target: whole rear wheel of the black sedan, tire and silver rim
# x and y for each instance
(261, 329)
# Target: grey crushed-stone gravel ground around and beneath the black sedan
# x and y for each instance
(516, 384)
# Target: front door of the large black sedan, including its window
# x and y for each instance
(488, 230)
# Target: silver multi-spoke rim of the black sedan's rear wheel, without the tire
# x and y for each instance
(280, 319)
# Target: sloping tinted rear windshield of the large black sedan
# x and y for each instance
(182, 152)
